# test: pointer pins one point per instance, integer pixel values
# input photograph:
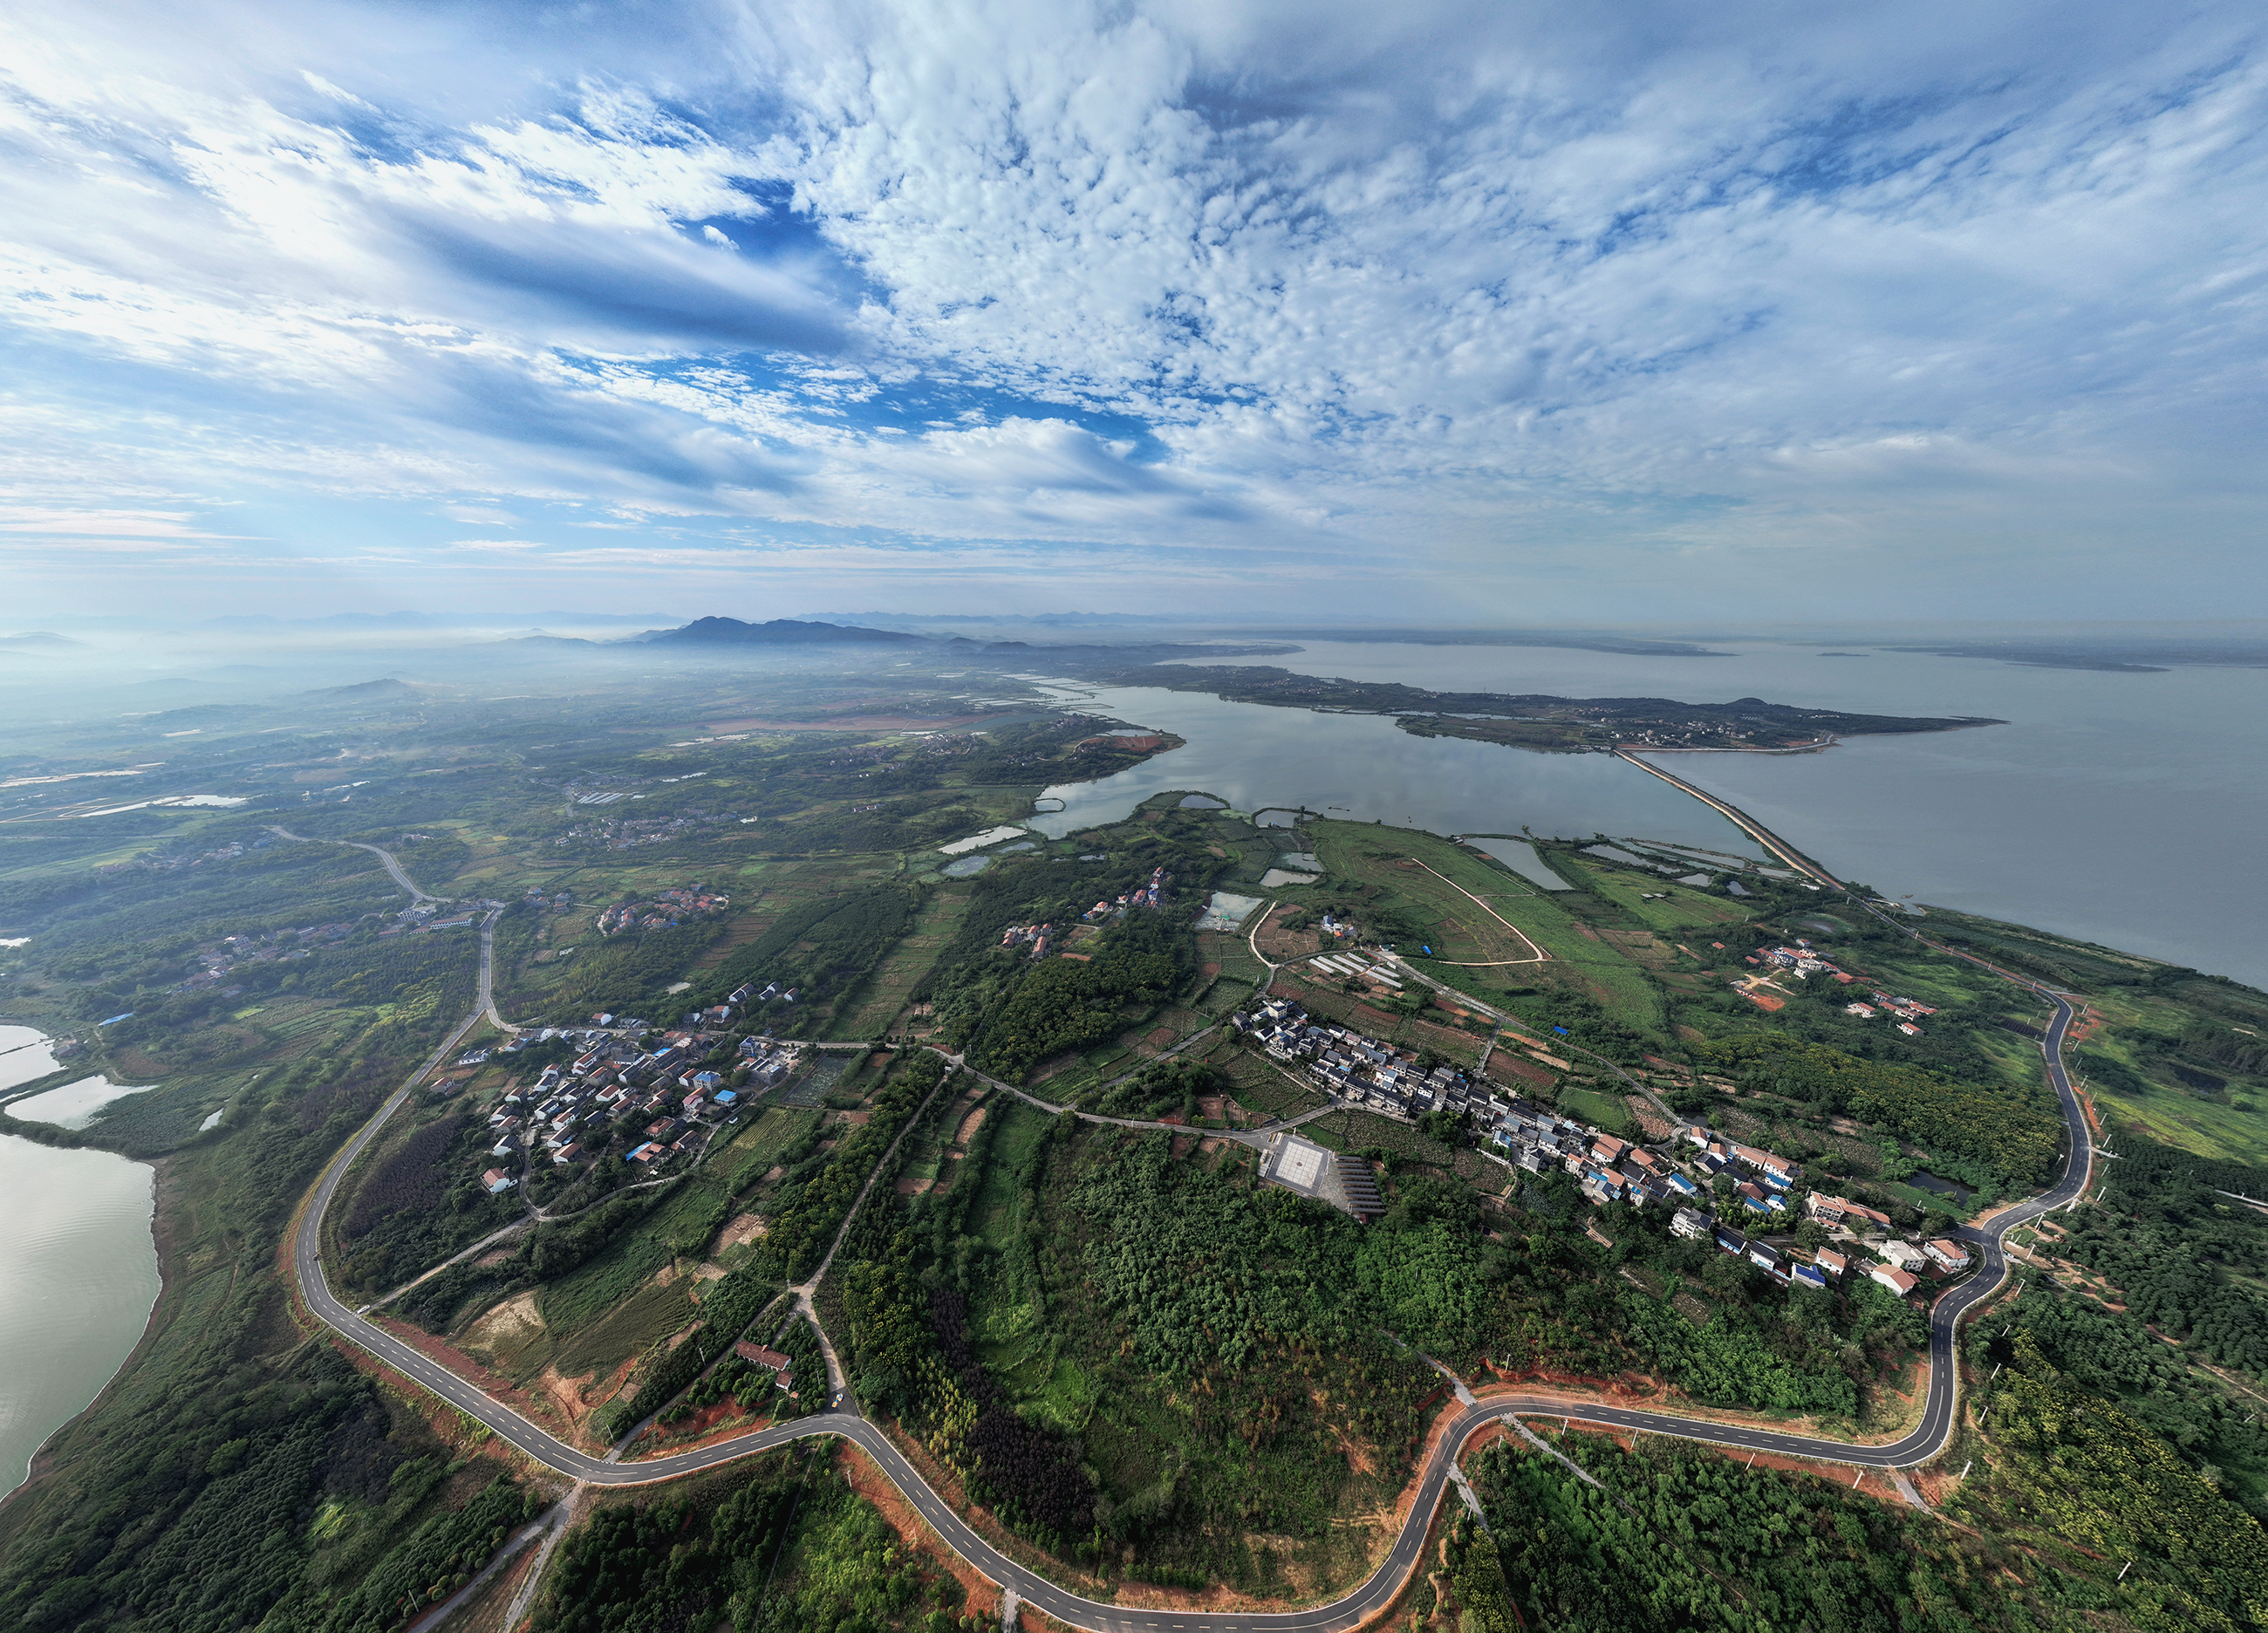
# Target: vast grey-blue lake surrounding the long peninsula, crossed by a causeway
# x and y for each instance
(2122, 809)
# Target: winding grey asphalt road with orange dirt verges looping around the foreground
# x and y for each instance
(1927, 1439)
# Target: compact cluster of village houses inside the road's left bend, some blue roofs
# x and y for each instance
(661, 1092)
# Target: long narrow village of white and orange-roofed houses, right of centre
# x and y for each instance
(1743, 1199)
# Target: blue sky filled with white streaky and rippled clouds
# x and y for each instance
(1500, 314)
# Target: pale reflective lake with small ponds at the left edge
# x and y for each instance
(78, 1278)
